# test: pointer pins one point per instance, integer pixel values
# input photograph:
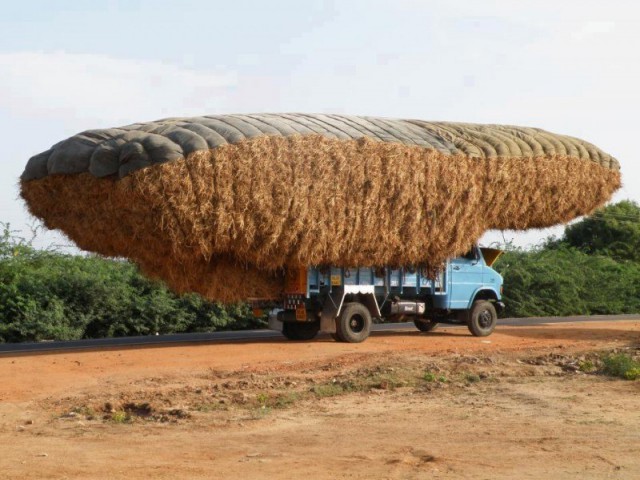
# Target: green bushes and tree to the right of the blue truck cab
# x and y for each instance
(593, 269)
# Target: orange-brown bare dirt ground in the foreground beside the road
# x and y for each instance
(401, 405)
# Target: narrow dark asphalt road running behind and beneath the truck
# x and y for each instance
(252, 335)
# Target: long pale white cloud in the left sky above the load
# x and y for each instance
(105, 89)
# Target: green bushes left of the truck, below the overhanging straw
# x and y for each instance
(46, 295)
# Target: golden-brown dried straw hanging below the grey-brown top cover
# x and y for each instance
(226, 222)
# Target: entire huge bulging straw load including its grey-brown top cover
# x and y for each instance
(221, 205)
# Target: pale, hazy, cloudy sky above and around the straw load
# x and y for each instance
(571, 67)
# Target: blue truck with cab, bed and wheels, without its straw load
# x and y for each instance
(345, 302)
